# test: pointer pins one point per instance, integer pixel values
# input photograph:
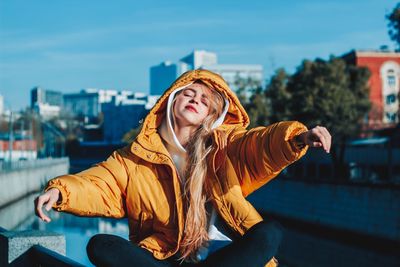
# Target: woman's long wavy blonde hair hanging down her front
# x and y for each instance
(194, 195)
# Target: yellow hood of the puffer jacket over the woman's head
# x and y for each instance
(236, 115)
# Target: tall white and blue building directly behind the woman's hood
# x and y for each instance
(162, 76)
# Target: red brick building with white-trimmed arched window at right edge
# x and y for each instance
(384, 84)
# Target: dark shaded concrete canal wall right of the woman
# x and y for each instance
(367, 210)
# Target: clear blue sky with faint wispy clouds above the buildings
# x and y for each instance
(70, 45)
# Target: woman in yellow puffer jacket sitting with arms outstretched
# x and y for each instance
(182, 183)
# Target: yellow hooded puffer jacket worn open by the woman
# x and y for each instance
(140, 180)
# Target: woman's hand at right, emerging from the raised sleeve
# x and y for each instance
(316, 137)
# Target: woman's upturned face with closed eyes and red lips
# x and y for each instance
(192, 105)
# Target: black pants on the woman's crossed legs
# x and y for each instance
(255, 248)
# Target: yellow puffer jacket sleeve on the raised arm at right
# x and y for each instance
(260, 154)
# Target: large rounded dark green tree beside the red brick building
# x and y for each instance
(329, 93)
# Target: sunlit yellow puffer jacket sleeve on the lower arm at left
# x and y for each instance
(97, 191)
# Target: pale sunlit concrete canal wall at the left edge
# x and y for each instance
(29, 177)
